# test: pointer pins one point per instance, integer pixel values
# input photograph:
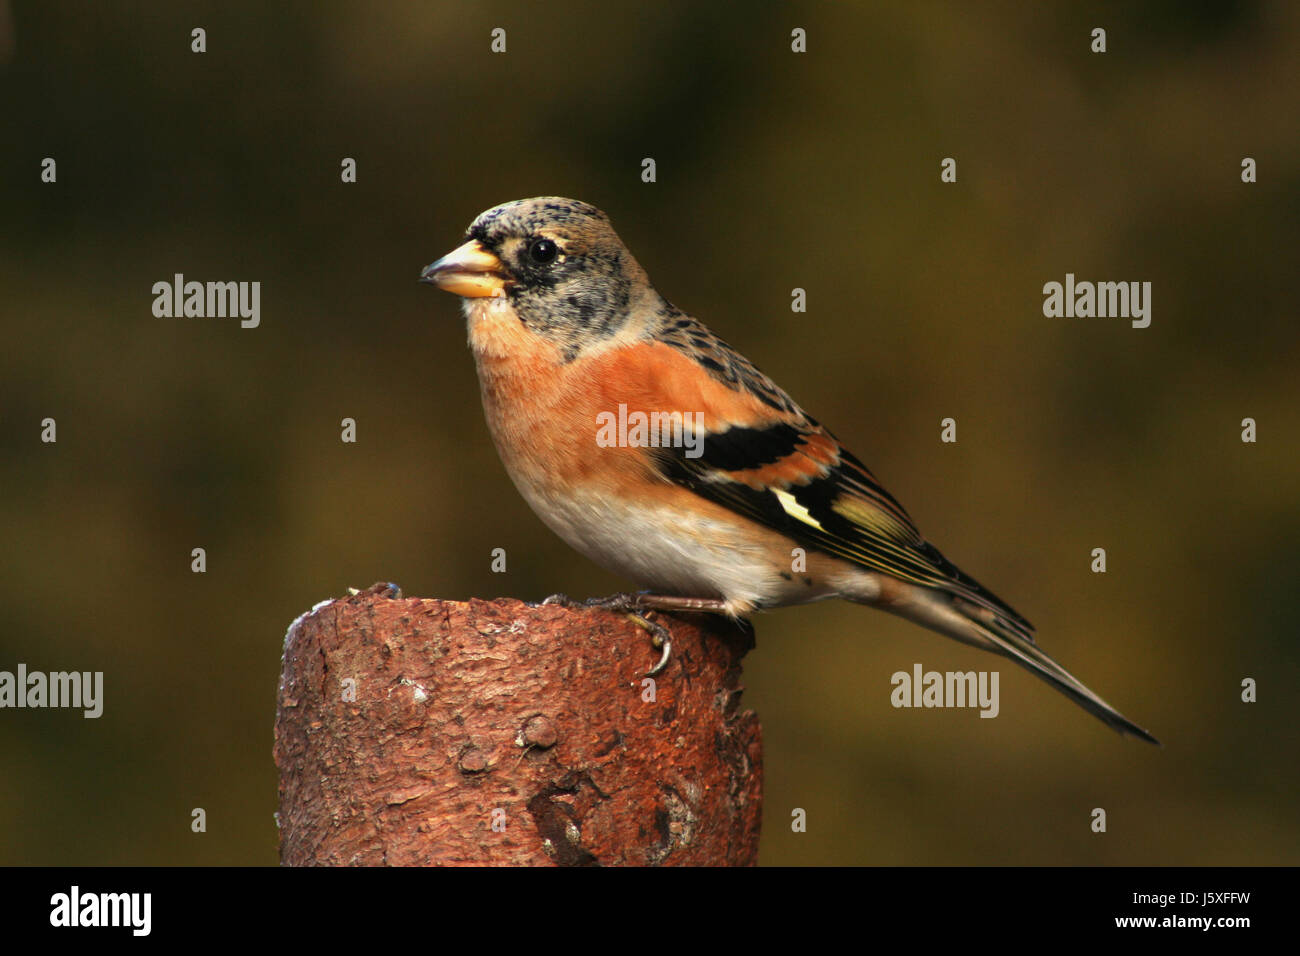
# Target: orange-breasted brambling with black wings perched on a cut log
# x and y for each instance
(661, 453)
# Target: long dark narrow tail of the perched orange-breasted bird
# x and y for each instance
(987, 626)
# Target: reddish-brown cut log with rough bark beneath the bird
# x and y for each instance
(502, 733)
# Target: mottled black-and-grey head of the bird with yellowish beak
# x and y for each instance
(557, 262)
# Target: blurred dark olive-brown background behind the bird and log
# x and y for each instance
(775, 171)
